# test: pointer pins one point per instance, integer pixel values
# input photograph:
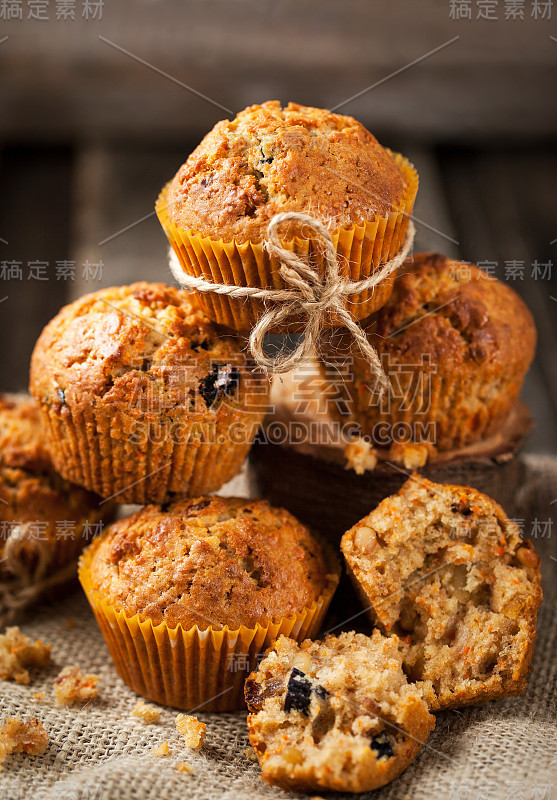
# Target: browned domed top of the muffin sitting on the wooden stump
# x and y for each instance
(456, 314)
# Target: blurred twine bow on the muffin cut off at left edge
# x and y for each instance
(25, 558)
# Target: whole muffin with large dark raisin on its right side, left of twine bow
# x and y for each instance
(141, 399)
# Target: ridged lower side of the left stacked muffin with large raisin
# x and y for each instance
(95, 449)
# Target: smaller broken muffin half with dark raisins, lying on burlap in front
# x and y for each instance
(335, 714)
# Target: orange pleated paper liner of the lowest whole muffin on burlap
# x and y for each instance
(194, 669)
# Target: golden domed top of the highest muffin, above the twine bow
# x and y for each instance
(271, 159)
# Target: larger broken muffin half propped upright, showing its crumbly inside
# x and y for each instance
(443, 568)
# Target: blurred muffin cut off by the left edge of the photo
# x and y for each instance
(44, 521)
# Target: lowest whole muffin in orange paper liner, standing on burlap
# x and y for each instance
(228, 571)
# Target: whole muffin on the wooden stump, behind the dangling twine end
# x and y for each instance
(456, 345)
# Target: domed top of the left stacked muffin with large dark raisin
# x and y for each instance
(146, 345)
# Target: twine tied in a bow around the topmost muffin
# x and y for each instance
(308, 294)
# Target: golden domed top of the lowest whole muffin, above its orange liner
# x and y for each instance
(209, 561)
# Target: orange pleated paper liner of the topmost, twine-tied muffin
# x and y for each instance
(361, 249)
